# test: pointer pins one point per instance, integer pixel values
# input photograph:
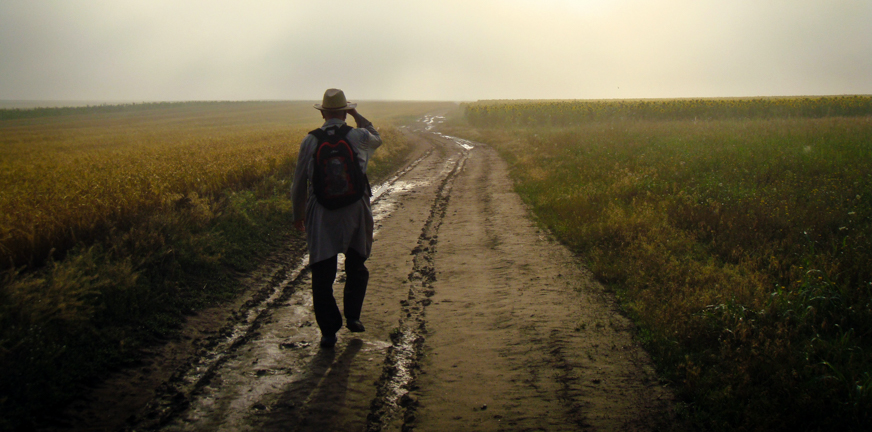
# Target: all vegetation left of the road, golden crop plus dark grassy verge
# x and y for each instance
(117, 223)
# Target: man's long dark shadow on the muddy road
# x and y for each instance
(315, 401)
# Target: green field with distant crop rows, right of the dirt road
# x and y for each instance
(736, 232)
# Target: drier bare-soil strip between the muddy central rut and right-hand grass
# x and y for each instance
(519, 337)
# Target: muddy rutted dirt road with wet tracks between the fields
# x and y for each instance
(475, 320)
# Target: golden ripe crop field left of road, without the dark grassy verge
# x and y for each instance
(71, 177)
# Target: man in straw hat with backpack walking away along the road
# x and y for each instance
(331, 204)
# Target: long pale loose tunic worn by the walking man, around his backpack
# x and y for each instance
(331, 232)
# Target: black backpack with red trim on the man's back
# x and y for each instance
(337, 179)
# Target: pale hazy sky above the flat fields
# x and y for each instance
(151, 50)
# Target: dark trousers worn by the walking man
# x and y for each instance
(323, 275)
